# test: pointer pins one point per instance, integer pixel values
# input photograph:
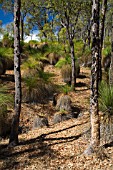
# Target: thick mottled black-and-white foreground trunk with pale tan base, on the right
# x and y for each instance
(95, 126)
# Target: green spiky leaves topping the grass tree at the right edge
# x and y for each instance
(106, 98)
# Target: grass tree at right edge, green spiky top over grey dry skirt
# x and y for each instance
(106, 105)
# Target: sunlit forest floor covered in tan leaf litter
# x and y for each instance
(60, 146)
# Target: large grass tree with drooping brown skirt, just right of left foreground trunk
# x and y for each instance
(37, 90)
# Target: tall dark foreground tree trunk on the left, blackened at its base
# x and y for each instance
(15, 122)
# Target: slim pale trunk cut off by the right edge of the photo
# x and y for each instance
(111, 64)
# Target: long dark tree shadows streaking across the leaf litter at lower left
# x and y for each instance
(39, 147)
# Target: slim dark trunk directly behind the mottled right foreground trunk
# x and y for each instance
(102, 24)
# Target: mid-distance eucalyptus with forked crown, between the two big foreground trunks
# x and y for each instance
(68, 16)
